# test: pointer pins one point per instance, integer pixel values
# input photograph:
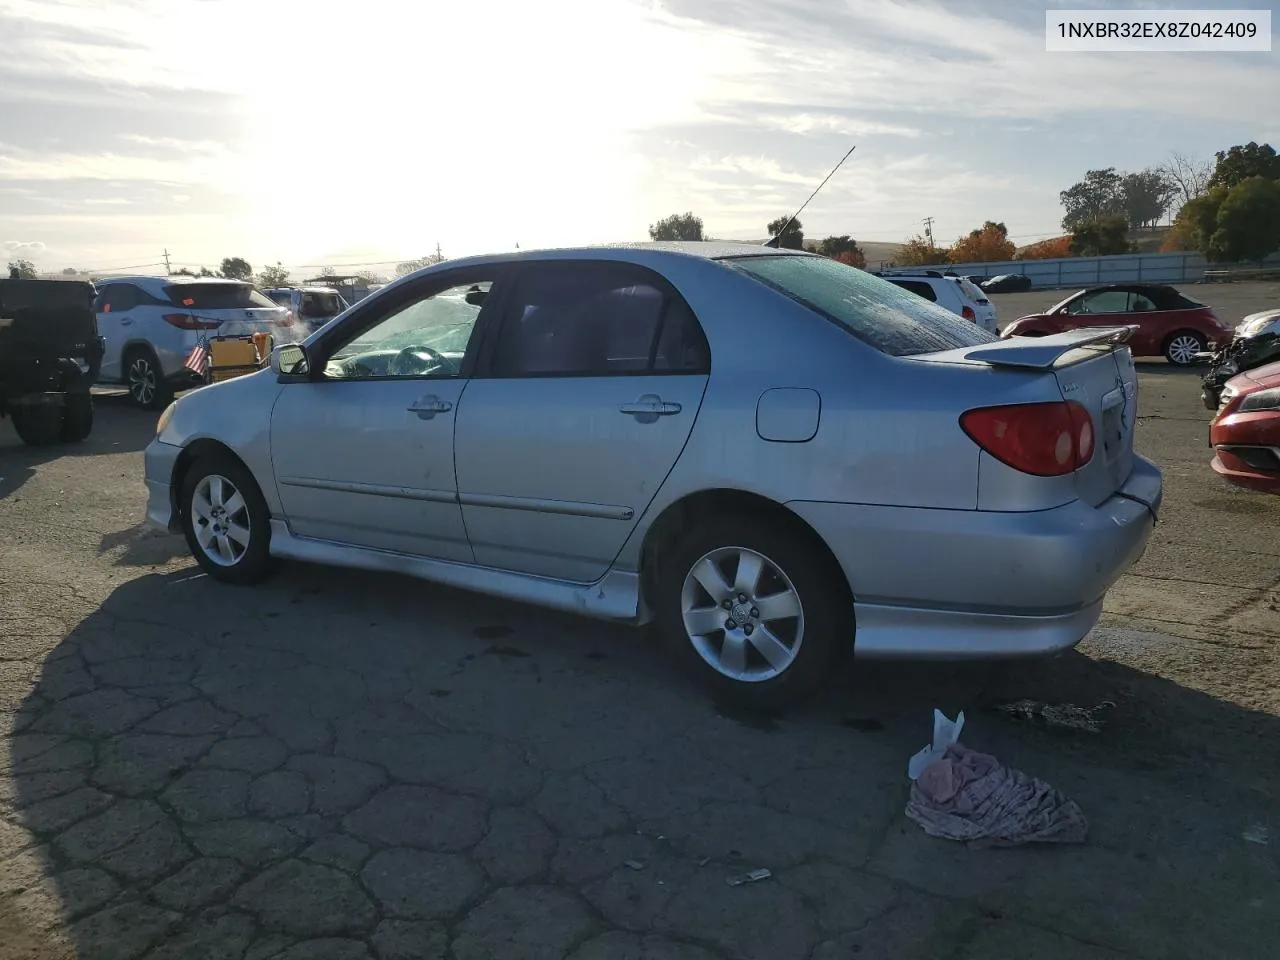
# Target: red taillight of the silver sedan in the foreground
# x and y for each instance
(1045, 440)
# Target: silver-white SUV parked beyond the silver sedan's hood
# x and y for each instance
(150, 326)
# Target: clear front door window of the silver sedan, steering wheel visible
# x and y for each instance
(428, 337)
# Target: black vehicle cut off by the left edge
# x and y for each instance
(51, 355)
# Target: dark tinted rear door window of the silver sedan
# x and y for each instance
(574, 319)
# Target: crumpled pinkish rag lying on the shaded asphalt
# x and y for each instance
(970, 796)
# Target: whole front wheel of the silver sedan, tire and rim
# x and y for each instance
(225, 519)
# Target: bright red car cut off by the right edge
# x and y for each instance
(1246, 432)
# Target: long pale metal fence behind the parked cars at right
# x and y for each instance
(1124, 268)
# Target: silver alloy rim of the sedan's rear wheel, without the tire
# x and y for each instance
(743, 615)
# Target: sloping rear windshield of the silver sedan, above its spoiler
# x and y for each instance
(876, 312)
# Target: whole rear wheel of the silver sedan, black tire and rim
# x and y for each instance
(755, 610)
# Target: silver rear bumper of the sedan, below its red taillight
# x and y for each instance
(943, 584)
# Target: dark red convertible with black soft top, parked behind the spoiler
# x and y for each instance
(1171, 324)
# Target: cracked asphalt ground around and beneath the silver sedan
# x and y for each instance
(341, 766)
